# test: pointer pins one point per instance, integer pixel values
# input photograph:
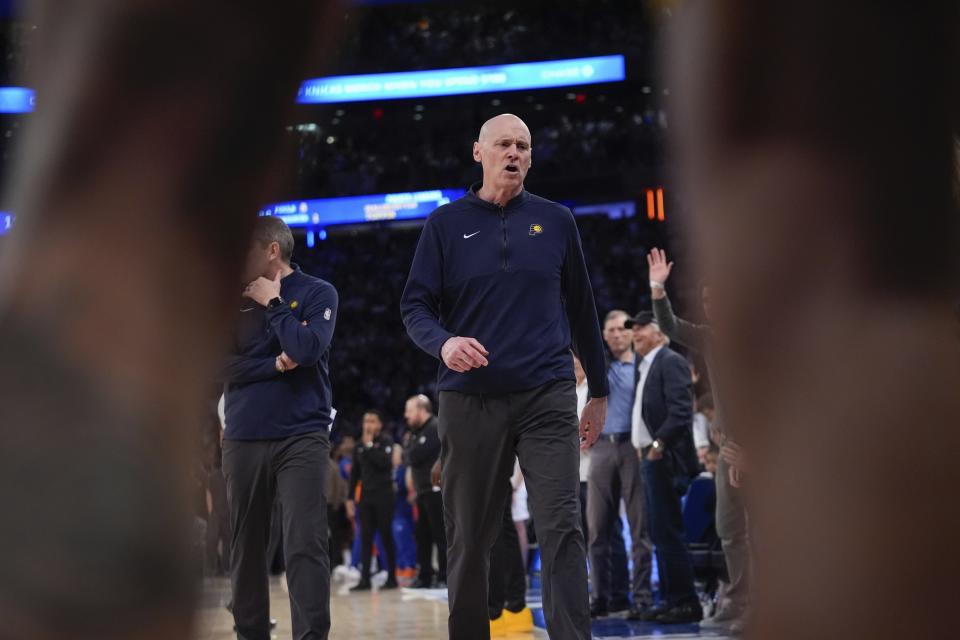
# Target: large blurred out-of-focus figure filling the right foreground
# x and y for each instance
(818, 141)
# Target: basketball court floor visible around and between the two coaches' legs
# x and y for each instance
(404, 614)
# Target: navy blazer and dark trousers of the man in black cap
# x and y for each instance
(667, 410)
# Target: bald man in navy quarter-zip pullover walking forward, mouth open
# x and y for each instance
(500, 294)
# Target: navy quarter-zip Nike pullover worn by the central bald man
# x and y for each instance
(514, 278)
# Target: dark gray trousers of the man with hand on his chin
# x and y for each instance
(293, 469)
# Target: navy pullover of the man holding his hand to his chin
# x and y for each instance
(261, 403)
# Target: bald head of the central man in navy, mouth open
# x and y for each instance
(505, 151)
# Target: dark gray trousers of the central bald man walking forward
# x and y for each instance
(480, 434)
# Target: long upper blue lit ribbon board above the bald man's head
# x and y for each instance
(466, 80)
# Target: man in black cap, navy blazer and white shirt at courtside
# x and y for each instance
(662, 433)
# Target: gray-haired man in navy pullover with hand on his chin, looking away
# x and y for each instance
(277, 401)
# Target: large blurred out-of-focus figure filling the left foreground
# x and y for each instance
(155, 127)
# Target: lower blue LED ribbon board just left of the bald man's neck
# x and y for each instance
(358, 209)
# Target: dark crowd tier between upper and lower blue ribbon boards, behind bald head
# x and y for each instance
(596, 142)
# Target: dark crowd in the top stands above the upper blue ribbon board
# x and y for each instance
(444, 34)
